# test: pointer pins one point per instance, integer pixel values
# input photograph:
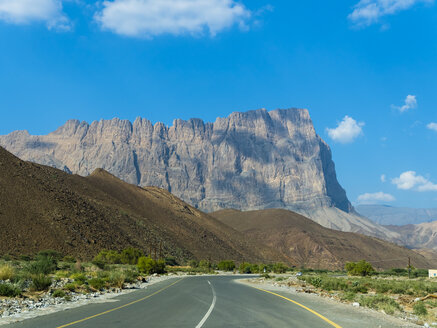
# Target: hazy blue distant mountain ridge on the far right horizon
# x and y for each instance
(388, 215)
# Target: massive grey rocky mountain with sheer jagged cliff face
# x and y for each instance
(251, 160)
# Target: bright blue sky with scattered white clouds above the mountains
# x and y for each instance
(366, 70)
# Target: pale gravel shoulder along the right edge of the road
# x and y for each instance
(343, 314)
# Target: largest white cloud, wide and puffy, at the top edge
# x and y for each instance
(147, 18)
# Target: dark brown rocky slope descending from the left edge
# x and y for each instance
(45, 208)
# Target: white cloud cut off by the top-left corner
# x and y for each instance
(28, 11)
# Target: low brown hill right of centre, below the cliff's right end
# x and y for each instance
(312, 245)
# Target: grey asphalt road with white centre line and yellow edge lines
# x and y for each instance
(195, 302)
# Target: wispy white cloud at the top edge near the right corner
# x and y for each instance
(368, 12)
